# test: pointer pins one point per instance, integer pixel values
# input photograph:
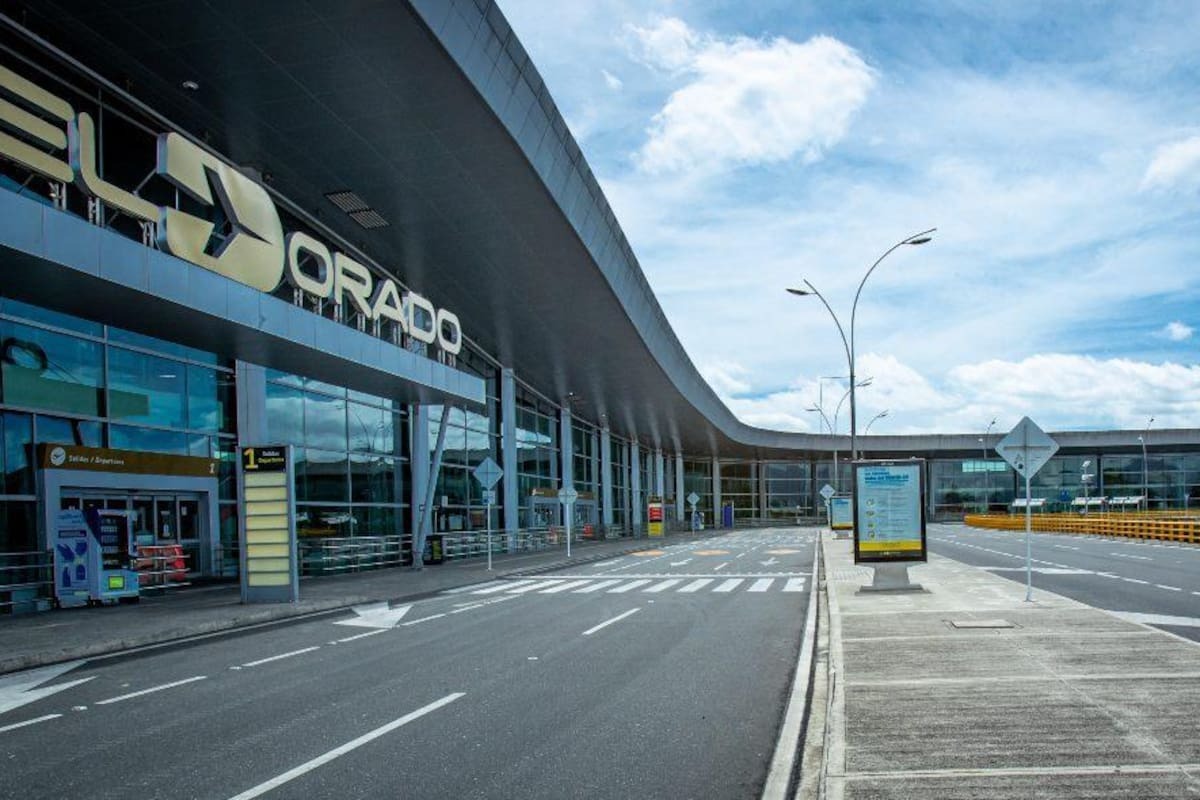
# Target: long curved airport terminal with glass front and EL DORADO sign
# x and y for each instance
(362, 228)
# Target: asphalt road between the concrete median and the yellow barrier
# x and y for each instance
(1150, 582)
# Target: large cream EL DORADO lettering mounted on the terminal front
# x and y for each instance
(58, 143)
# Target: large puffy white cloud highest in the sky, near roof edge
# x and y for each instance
(748, 101)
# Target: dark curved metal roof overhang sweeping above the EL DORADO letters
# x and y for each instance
(434, 115)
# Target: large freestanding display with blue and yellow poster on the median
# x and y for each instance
(890, 514)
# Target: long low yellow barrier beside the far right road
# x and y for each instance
(1160, 526)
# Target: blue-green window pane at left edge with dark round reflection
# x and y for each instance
(50, 371)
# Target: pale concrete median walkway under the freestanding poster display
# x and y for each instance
(1064, 702)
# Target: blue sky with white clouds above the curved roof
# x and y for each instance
(749, 146)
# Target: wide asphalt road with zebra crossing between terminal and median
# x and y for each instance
(662, 675)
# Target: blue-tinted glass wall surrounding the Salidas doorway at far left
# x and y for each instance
(69, 381)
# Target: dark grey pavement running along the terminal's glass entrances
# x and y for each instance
(38, 640)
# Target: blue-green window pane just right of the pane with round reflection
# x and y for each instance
(146, 389)
